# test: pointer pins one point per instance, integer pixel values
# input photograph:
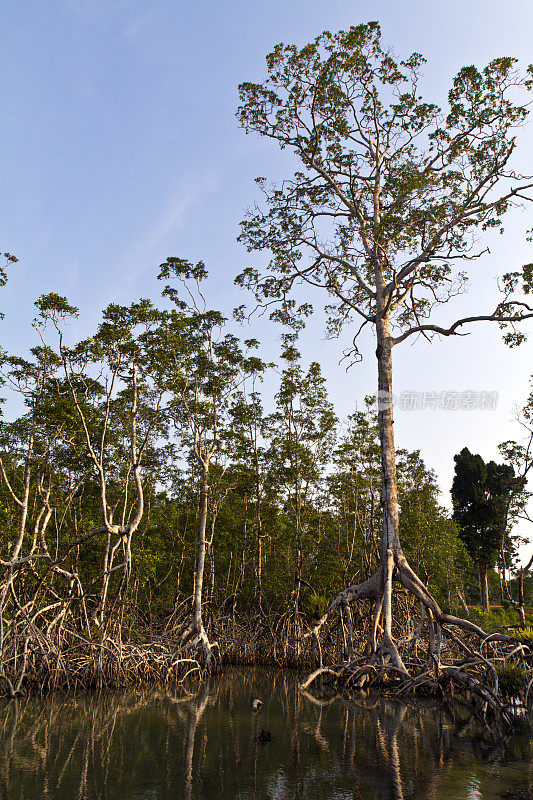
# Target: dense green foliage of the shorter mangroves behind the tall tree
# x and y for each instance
(293, 500)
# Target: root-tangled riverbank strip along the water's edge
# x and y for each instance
(488, 680)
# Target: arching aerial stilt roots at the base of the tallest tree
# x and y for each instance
(452, 658)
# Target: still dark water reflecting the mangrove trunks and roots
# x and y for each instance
(159, 745)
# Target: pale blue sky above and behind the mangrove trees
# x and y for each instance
(120, 148)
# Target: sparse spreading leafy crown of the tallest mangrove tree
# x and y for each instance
(402, 184)
